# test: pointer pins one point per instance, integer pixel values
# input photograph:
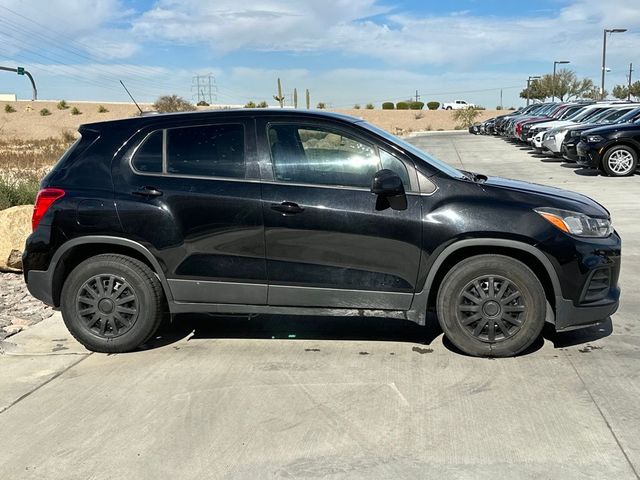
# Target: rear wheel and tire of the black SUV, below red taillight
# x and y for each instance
(124, 310)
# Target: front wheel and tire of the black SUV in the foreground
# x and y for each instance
(515, 314)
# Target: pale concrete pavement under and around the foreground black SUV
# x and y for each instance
(284, 397)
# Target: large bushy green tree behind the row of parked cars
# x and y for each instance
(565, 86)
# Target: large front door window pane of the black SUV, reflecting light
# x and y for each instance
(320, 156)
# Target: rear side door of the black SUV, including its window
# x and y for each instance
(190, 193)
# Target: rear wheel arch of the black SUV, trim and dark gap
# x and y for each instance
(72, 253)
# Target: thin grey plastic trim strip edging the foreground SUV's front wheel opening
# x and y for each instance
(418, 310)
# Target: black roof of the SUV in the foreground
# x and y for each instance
(150, 119)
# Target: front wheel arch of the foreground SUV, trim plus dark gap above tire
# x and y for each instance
(531, 256)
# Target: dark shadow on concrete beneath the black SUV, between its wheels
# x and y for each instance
(202, 326)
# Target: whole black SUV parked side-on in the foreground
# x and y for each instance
(290, 212)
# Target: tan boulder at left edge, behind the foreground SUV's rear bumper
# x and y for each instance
(15, 227)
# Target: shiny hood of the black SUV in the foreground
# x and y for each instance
(544, 196)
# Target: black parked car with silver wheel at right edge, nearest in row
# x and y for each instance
(612, 149)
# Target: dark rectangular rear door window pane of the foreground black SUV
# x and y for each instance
(211, 150)
